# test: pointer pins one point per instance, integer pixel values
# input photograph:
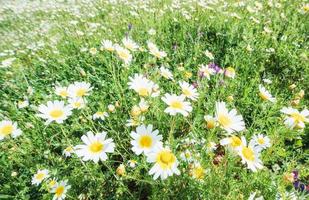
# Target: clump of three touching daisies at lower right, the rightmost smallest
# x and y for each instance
(249, 152)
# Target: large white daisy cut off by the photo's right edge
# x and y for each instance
(294, 118)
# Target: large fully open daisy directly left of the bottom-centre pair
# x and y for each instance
(95, 147)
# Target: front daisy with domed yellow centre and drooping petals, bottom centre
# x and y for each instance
(165, 163)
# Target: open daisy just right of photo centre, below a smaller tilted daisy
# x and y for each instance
(177, 104)
